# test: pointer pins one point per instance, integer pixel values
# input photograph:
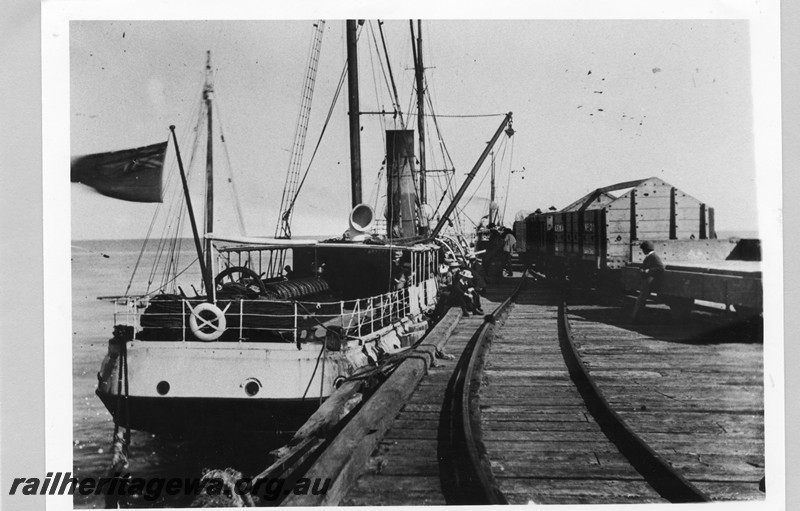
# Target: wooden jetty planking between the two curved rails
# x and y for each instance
(544, 445)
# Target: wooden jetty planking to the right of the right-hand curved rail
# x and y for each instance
(693, 391)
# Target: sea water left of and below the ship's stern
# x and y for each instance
(104, 268)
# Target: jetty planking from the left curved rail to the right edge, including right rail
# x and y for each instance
(580, 406)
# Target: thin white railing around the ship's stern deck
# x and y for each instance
(253, 319)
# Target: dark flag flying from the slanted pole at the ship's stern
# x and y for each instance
(130, 174)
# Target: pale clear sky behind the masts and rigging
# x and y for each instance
(594, 103)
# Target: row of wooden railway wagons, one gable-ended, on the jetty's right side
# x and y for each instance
(596, 239)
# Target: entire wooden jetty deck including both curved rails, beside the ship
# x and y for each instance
(547, 403)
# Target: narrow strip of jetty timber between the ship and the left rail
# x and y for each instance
(410, 442)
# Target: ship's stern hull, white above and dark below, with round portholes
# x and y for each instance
(194, 388)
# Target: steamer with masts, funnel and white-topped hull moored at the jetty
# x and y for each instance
(259, 347)
